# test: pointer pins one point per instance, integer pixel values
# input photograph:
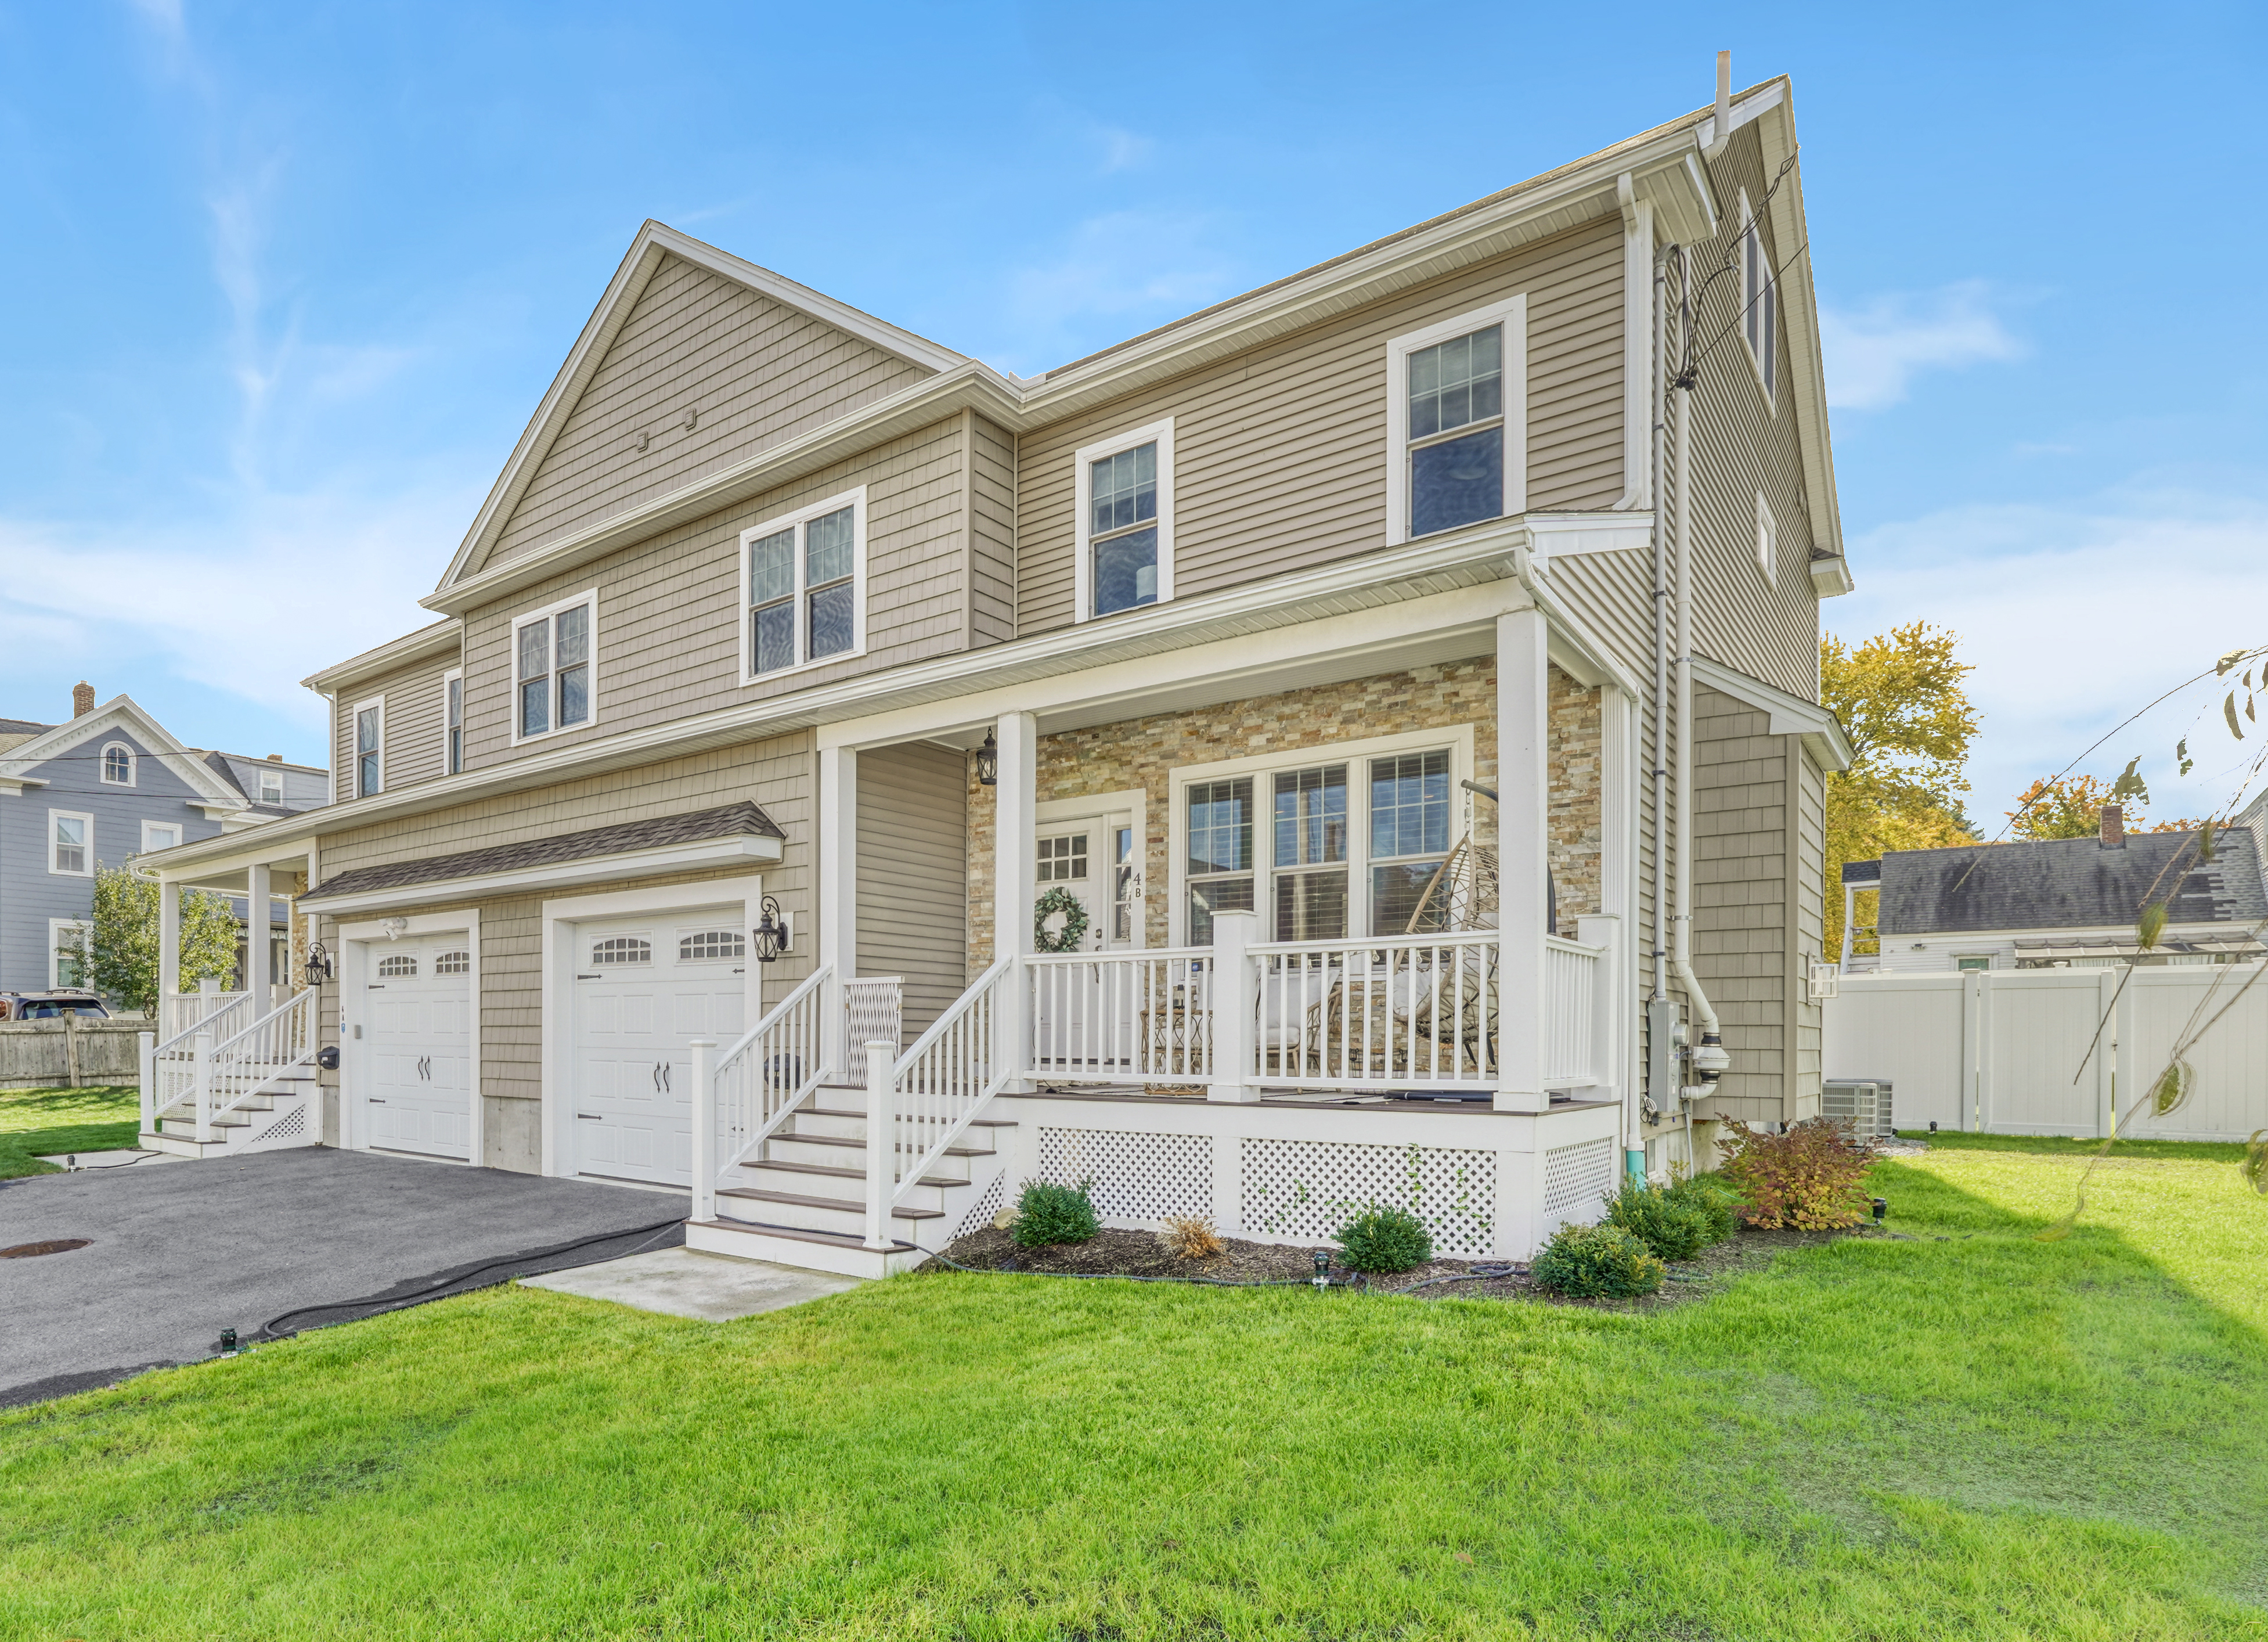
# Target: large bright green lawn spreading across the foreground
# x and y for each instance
(1970, 1434)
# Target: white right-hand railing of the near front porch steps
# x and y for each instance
(922, 1106)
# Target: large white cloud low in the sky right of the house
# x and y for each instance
(2074, 620)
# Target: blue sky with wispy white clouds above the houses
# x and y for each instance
(287, 280)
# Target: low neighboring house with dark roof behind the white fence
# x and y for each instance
(2063, 904)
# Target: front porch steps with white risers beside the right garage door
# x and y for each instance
(804, 1199)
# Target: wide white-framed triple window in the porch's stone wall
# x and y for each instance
(1323, 845)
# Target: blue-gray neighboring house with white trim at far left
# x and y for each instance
(99, 790)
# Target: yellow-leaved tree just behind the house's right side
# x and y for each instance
(1904, 702)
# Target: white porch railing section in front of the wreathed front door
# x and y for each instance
(1124, 1017)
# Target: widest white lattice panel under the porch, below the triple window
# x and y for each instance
(1308, 1190)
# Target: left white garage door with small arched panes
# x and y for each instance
(418, 1022)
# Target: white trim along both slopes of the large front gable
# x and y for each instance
(654, 244)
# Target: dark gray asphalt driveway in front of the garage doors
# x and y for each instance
(178, 1255)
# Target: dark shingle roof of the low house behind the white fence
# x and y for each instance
(2072, 886)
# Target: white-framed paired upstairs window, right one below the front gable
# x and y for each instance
(804, 589)
